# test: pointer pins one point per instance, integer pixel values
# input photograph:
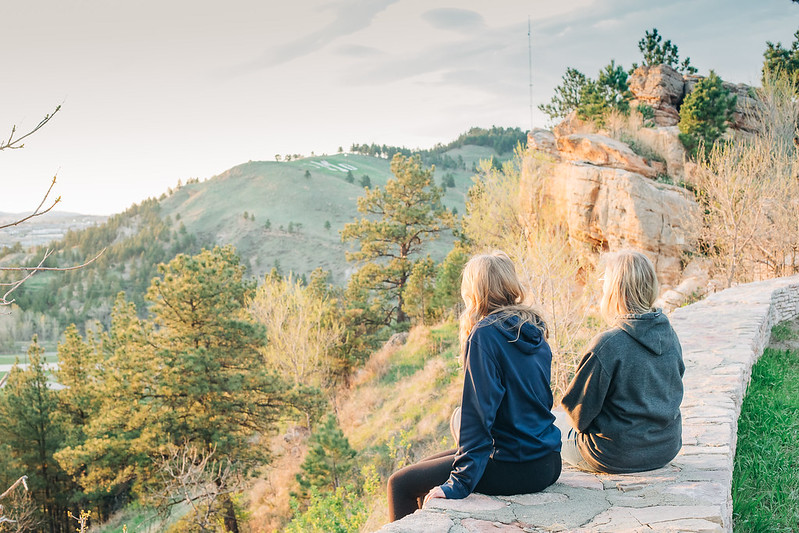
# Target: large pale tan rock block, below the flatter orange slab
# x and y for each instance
(608, 209)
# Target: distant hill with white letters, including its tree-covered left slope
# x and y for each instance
(285, 215)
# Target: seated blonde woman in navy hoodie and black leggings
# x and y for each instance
(508, 443)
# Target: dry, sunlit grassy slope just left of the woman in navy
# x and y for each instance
(401, 401)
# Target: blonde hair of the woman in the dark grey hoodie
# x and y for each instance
(631, 285)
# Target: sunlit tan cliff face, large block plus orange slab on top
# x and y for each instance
(607, 197)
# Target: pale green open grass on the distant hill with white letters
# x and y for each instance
(279, 193)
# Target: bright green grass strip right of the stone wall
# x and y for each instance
(765, 486)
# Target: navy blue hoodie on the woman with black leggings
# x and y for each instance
(507, 401)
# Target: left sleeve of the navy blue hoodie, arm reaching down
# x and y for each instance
(483, 391)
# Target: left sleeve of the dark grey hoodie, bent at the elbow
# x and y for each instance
(586, 393)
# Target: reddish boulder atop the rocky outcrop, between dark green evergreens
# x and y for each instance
(660, 87)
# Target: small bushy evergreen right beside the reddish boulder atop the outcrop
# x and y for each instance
(705, 113)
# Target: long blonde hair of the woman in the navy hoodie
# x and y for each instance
(490, 286)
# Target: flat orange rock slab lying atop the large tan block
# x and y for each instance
(604, 151)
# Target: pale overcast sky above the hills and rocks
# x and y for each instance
(154, 91)
